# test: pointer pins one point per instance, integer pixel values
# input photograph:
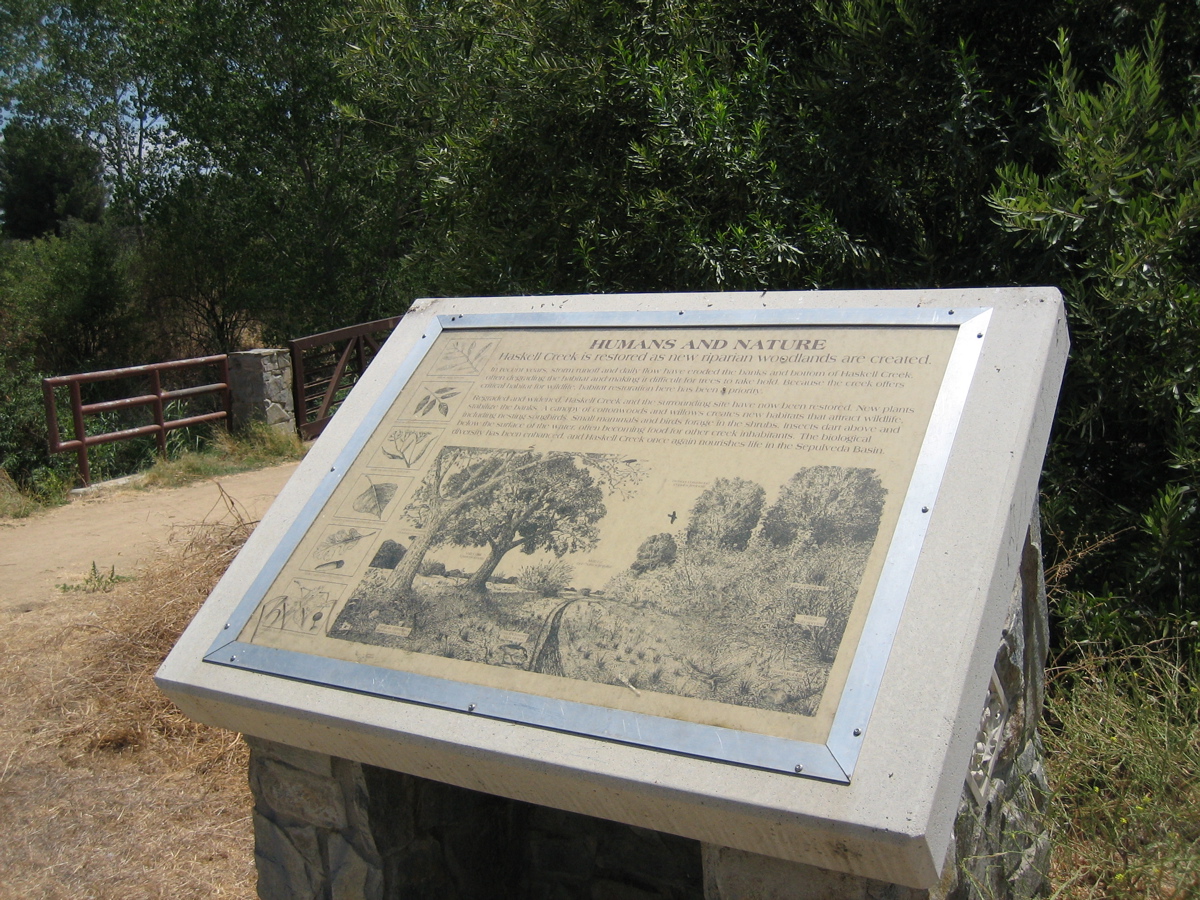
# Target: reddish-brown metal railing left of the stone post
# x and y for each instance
(157, 399)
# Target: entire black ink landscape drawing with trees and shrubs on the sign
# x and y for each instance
(745, 604)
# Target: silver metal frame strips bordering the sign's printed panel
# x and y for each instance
(835, 760)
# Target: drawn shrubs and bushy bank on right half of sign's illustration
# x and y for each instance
(730, 597)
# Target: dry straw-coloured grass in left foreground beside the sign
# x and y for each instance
(106, 789)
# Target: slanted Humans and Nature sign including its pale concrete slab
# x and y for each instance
(686, 526)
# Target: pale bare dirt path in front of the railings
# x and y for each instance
(122, 529)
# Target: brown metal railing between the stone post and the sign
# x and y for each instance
(323, 370)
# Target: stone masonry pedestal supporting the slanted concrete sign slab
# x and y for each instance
(332, 829)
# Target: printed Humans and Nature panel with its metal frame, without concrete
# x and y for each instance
(691, 532)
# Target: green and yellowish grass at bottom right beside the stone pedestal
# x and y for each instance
(1124, 759)
